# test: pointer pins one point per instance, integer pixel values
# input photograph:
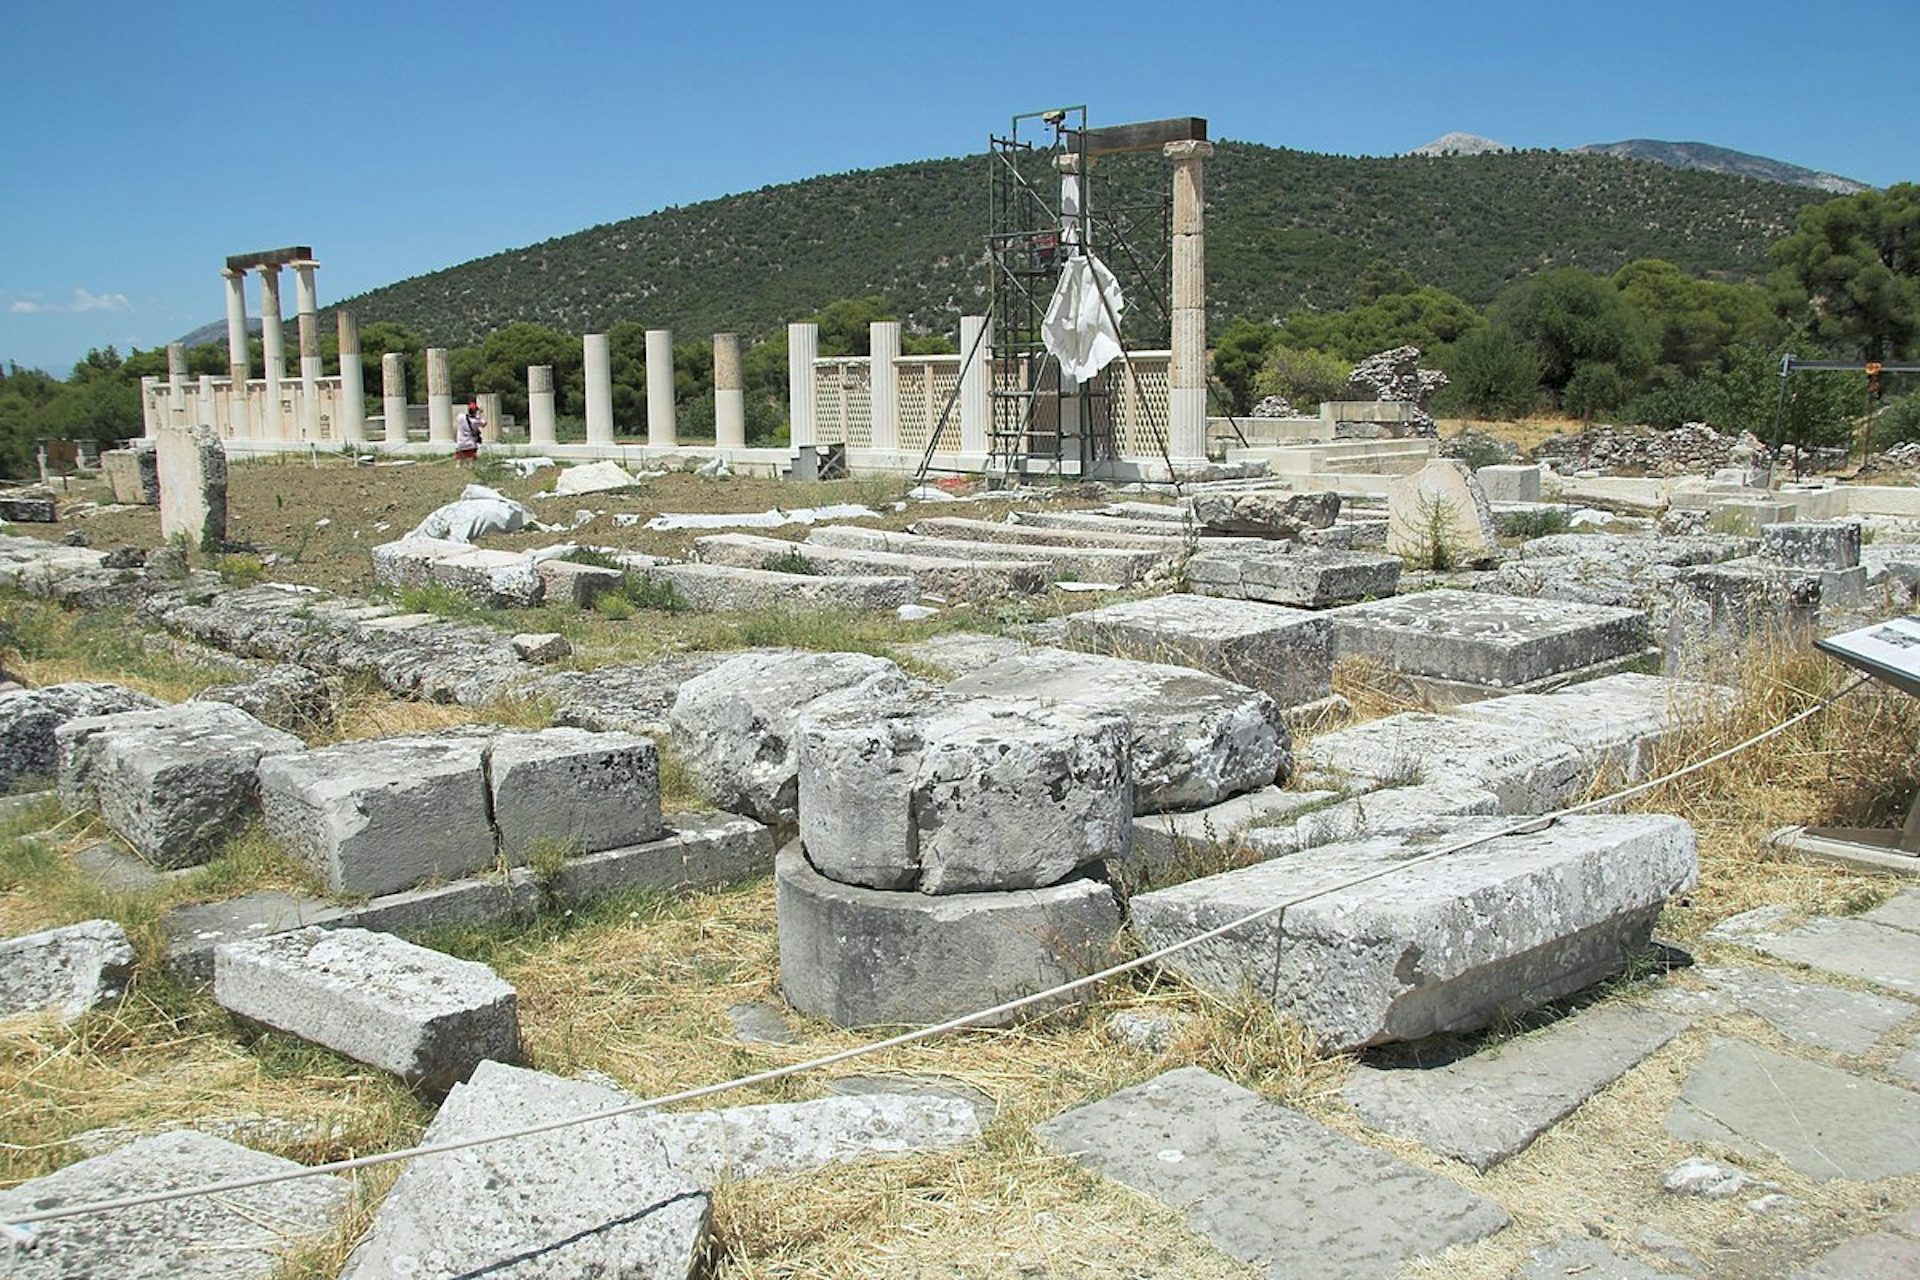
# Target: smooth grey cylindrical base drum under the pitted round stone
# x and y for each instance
(865, 957)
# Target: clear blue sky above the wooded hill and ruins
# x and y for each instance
(147, 143)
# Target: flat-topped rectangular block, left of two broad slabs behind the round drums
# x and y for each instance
(1285, 653)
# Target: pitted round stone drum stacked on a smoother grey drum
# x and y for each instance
(963, 797)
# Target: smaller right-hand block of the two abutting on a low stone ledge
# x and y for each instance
(587, 792)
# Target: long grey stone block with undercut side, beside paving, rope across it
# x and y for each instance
(1449, 945)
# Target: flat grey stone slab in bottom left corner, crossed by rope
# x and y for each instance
(233, 1237)
